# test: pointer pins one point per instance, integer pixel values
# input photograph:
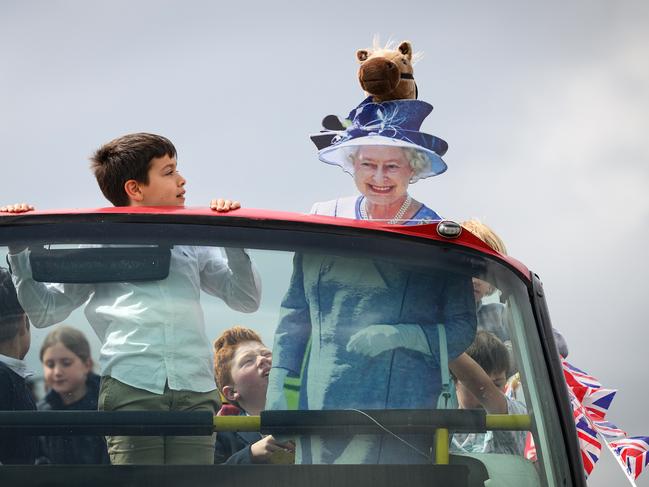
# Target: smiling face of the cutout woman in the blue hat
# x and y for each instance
(382, 174)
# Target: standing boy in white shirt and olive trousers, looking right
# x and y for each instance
(155, 355)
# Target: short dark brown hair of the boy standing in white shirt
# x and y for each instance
(127, 157)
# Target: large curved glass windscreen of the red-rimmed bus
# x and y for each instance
(361, 330)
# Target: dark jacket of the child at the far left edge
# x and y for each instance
(16, 448)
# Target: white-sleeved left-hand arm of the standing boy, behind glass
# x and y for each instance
(44, 304)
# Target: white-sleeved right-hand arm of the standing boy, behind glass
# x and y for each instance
(237, 282)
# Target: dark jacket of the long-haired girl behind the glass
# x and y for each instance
(89, 449)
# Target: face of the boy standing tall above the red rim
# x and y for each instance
(166, 186)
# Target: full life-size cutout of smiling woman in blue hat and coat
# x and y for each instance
(371, 323)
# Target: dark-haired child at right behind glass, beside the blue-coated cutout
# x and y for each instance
(480, 377)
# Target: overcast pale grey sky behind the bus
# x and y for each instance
(545, 108)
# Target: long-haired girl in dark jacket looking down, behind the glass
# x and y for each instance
(67, 367)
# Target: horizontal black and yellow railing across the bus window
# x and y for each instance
(399, 421)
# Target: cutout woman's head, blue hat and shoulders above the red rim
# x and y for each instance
(384, 151)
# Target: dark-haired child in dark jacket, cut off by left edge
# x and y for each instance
(15, 395)
